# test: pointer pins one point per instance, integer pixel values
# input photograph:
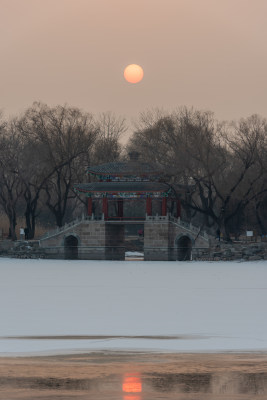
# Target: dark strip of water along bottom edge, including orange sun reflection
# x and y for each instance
(147, 385)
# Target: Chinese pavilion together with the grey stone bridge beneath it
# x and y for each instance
(123, 197)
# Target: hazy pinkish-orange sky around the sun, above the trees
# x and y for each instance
(210, 54)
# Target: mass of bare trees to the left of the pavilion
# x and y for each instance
(44, 152)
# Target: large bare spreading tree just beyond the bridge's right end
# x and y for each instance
(226, 166)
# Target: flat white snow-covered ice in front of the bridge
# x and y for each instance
(178, 306)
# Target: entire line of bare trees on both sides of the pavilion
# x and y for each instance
(217, 169)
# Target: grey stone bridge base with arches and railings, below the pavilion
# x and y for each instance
(165, 238)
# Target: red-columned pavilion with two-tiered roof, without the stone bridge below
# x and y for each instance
(128, 191)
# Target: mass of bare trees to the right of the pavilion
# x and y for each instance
(220, 168)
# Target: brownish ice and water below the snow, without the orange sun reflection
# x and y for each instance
(100, 375)
